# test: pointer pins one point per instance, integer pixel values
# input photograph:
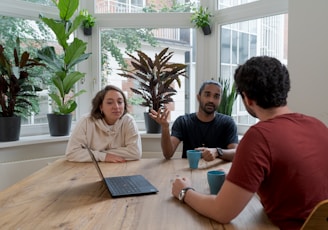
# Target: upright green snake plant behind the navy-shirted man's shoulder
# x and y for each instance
(228, 97)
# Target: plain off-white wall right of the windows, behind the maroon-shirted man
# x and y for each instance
(307, 57)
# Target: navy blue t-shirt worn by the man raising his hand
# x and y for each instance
(220, 132)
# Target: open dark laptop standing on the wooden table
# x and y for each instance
(122, 186)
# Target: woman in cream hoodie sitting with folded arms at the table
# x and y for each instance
(110, 132)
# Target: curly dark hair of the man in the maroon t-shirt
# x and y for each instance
(265, 80)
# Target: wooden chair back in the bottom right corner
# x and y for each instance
(318, 218)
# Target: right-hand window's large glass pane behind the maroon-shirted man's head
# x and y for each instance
(243, 40)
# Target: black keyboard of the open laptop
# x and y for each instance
(124, 184)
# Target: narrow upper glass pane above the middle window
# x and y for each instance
(142, 6)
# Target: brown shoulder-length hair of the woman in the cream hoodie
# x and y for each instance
(99, 98)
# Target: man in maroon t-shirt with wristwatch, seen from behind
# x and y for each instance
(283, 158)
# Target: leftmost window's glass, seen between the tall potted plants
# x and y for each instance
(23, 23)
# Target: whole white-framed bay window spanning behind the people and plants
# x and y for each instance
(242, 26)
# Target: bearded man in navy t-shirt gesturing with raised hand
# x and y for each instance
(213, 133)
